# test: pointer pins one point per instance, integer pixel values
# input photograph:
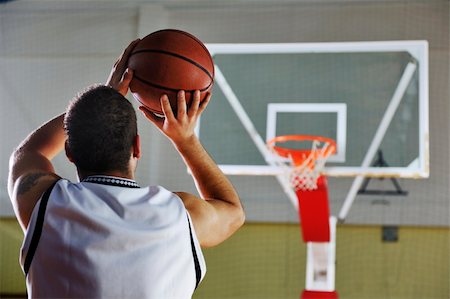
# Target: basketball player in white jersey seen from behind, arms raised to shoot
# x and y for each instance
(106, 236)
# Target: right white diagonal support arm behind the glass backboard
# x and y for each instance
(379, 135)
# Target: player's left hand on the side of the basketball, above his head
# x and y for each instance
(120, 76)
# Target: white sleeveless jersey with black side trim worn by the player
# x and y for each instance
(107, 238)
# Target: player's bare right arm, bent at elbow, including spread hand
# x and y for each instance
(219, 213)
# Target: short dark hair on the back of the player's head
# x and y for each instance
(101, 127)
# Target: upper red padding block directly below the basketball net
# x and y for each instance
(314, 212)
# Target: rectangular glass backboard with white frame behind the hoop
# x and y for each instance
(371, 97)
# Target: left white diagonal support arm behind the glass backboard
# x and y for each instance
(251, 130)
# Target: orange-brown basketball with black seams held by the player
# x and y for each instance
(167, 61)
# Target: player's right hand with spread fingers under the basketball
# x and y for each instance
(179, 128)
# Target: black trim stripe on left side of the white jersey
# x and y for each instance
(37, 229)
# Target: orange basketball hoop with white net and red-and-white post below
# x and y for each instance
(303, 169)
